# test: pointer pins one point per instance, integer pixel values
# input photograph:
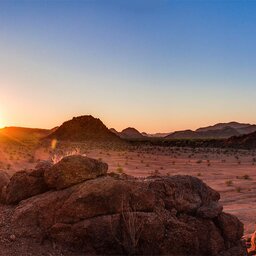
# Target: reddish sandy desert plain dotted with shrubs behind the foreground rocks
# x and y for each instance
(230, 172)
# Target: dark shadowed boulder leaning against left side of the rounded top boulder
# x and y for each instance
(25, 184)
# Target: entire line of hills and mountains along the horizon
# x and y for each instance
(88, 128)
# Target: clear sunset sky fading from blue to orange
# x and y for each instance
(157, 65)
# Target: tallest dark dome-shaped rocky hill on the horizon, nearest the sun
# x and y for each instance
(84, 128)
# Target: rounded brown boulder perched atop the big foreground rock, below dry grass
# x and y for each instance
(72, 170)
